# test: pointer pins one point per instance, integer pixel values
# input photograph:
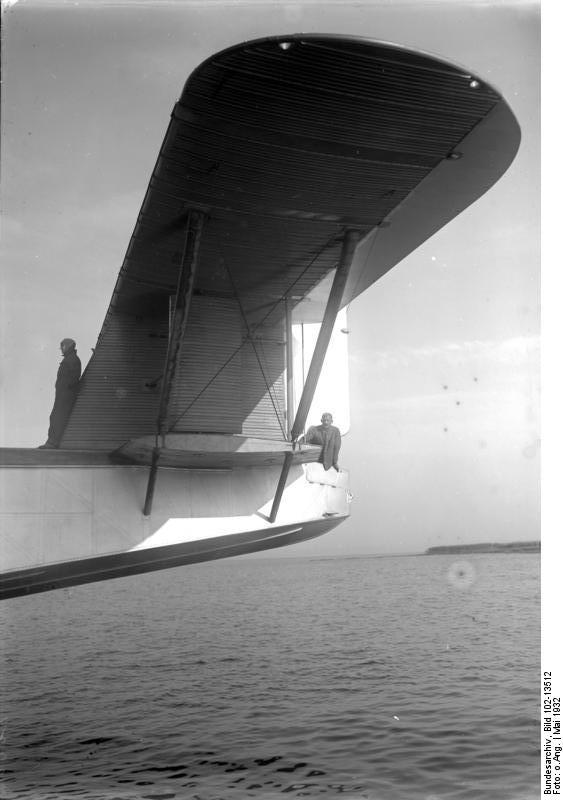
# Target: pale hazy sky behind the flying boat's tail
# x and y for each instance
(444, 349)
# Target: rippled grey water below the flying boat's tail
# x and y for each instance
(380, 678)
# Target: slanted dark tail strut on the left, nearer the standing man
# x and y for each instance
(184, 292)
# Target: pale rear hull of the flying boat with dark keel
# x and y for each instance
(64, 526)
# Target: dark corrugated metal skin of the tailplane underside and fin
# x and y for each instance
(283, 149)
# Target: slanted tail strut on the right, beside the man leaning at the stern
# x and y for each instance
(351, 238)
